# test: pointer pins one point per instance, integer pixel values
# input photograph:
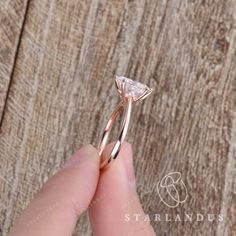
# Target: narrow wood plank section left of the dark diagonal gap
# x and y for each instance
(12, 16)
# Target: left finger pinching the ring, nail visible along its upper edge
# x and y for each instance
(55, 209)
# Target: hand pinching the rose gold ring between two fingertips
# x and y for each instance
(109, 195)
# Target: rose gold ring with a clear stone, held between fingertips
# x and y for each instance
(130, 91)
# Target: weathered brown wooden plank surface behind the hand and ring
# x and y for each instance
(58, 59)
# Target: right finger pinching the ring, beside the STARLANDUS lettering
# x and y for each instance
(116, 200)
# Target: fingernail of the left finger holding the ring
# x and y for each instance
(81, 155)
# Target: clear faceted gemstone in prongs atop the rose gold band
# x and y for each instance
(130, 88)
